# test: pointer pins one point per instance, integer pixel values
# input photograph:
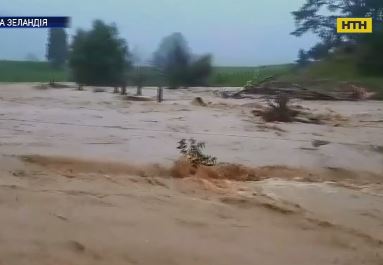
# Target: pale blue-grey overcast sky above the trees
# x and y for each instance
(237, 33)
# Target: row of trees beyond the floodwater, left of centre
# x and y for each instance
(100, 57)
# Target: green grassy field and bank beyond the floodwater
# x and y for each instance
(338, 68)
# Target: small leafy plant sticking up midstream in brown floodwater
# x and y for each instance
(192, 150)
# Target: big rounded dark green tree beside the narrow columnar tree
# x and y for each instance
(99, 56)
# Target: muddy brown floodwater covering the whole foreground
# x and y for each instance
(94, 178)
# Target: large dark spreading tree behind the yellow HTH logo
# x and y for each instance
(319, 17)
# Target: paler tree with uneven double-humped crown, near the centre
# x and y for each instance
(178, 66)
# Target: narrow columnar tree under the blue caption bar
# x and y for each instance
(57, 47)
